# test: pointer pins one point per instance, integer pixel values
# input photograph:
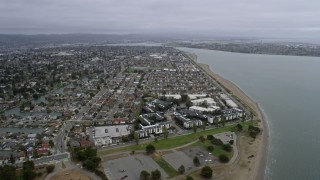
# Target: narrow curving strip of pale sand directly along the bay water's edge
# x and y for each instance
(259, 166)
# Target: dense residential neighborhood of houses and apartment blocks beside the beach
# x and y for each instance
(60, 99)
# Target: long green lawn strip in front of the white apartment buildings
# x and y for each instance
(175, 141)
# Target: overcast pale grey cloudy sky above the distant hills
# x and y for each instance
(270, 18)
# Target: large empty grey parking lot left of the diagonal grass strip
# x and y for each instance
(131, 167)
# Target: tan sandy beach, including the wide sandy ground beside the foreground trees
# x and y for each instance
(244, 169)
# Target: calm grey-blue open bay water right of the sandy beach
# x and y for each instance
(287, 88)
